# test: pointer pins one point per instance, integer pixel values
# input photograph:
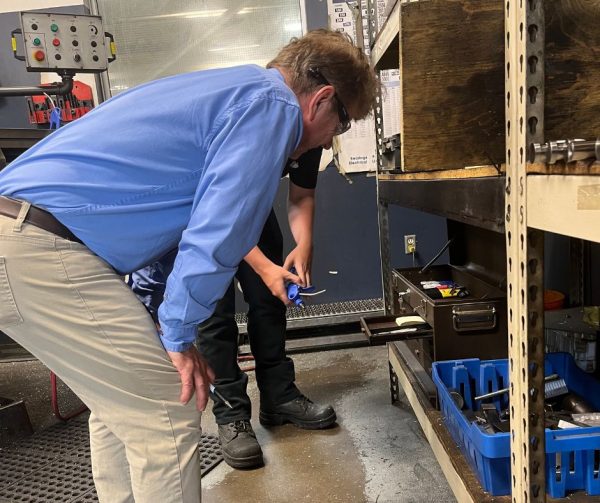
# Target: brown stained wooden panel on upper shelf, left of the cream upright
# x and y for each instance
(452, 60)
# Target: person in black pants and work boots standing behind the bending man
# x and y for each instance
(280, 400)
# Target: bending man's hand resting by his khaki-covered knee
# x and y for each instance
(195, 375)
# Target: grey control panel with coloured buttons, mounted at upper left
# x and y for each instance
(64, 42)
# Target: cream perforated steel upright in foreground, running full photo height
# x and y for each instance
(524, 79)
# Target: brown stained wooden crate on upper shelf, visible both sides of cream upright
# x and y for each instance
(452, 79)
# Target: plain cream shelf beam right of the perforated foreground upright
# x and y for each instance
(565, 204)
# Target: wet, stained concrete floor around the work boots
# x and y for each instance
(377, 452)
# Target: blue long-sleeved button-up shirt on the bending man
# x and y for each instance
(191, 161)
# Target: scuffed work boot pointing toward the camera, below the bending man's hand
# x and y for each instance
(239, 445)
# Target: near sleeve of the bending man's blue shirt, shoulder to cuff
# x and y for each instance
(232, 201)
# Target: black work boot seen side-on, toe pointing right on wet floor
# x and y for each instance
(301, 412)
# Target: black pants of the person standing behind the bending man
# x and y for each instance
(218, 339)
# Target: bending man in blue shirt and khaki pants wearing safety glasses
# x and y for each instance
(189, 162)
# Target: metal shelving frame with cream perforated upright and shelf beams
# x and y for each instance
(522, 206)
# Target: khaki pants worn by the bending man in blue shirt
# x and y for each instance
(73, 312)
